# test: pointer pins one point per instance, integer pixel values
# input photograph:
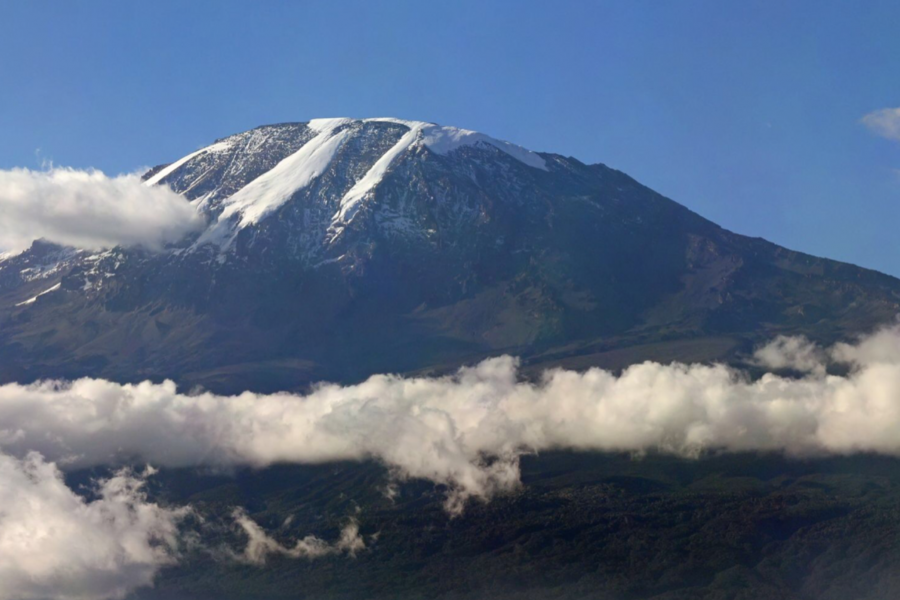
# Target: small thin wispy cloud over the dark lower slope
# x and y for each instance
(260, 545)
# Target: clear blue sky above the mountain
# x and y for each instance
(747, 112)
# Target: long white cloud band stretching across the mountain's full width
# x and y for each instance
(468, 431)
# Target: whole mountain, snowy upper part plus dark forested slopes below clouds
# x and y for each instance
(339, 248)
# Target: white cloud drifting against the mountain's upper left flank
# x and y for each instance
(90, 210)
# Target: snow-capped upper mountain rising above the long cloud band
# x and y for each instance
(339, 248)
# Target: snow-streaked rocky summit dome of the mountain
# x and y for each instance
(257, 173)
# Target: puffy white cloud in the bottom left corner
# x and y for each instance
(56, 544)
